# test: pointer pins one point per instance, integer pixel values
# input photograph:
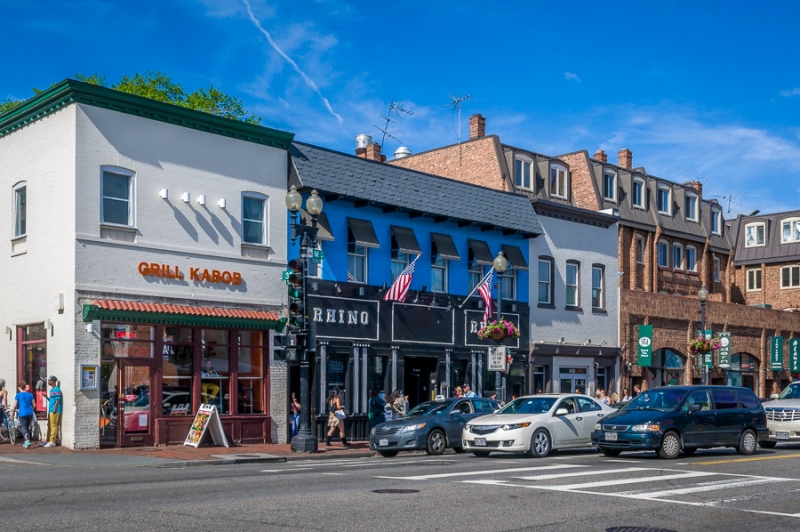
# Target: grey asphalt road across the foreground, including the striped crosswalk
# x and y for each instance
(581, 491)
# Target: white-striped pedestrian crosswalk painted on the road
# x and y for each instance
(747, 493)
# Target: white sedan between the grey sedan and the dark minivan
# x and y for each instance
(535, 425)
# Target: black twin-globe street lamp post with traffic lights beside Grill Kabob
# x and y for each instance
(305, 441)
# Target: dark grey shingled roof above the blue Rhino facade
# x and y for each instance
(381, 184)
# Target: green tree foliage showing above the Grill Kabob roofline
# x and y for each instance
(159, 86)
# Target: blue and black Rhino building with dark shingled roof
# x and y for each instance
(376, 219)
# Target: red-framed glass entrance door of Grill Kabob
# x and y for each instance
(135, 412)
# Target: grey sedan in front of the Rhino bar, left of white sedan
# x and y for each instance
(433, 426)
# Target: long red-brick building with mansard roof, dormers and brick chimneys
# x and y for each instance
(671, 242)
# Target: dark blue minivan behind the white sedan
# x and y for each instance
(687, 418)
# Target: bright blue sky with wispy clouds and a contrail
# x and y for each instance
(705, 90)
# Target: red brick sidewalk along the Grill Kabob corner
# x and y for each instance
(173, 455)
